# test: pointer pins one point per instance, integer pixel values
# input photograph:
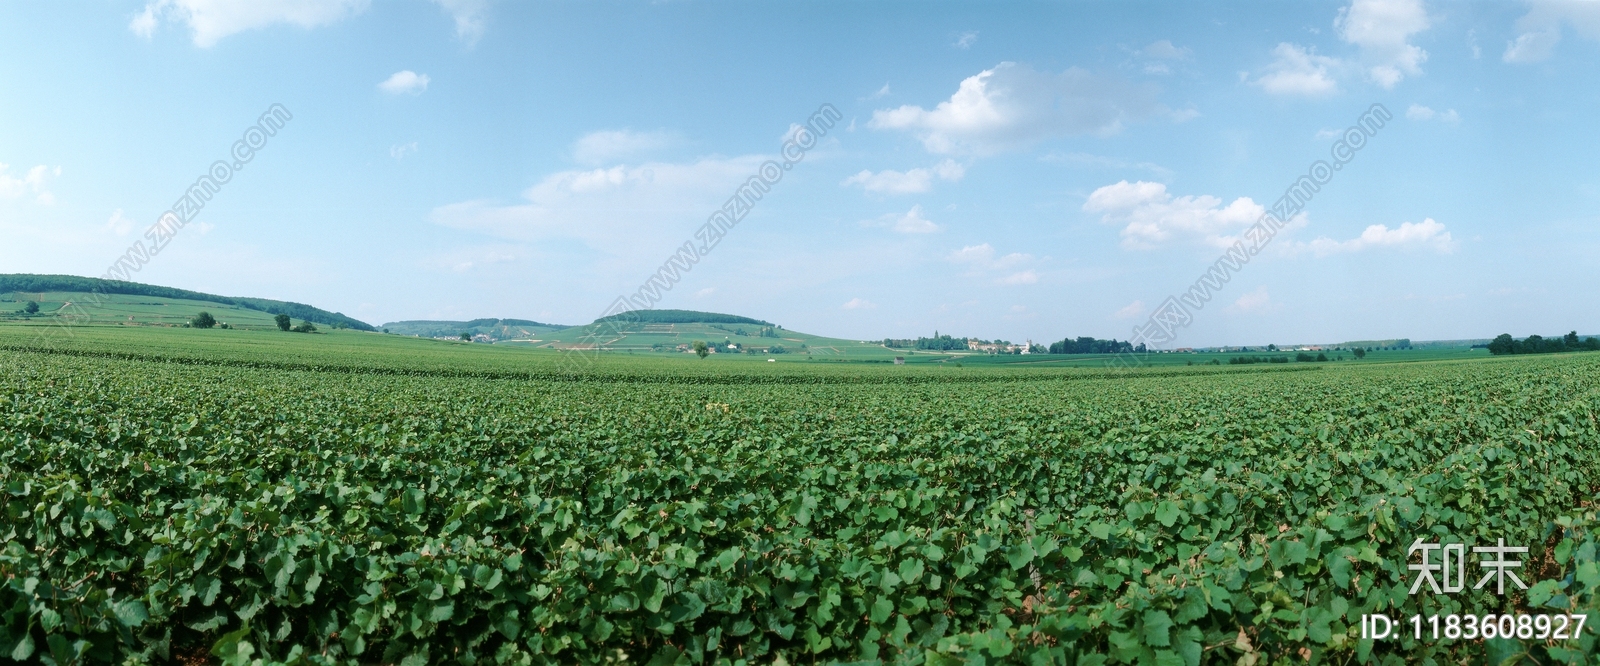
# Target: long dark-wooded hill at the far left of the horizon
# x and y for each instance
(90, 300)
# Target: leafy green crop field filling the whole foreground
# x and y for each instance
(362, 499)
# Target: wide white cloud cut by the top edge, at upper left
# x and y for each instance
(214, 20)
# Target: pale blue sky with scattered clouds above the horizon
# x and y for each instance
(1002, 171)
